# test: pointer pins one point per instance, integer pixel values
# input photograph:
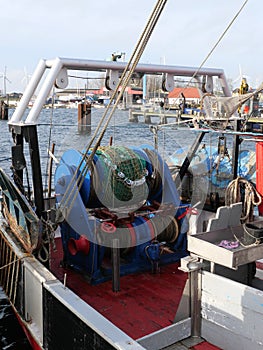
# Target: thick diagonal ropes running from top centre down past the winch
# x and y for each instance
(123, 82)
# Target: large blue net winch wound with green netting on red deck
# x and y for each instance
(128, 195)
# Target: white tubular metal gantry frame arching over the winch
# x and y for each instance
(57, 64)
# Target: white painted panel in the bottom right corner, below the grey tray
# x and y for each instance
(232, 314)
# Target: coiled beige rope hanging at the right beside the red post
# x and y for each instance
(241, 190)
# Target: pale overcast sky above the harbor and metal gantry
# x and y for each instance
(186, 32)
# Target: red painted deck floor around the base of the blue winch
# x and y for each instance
(146, 302)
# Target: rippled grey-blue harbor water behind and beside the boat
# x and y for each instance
(59, 127)
